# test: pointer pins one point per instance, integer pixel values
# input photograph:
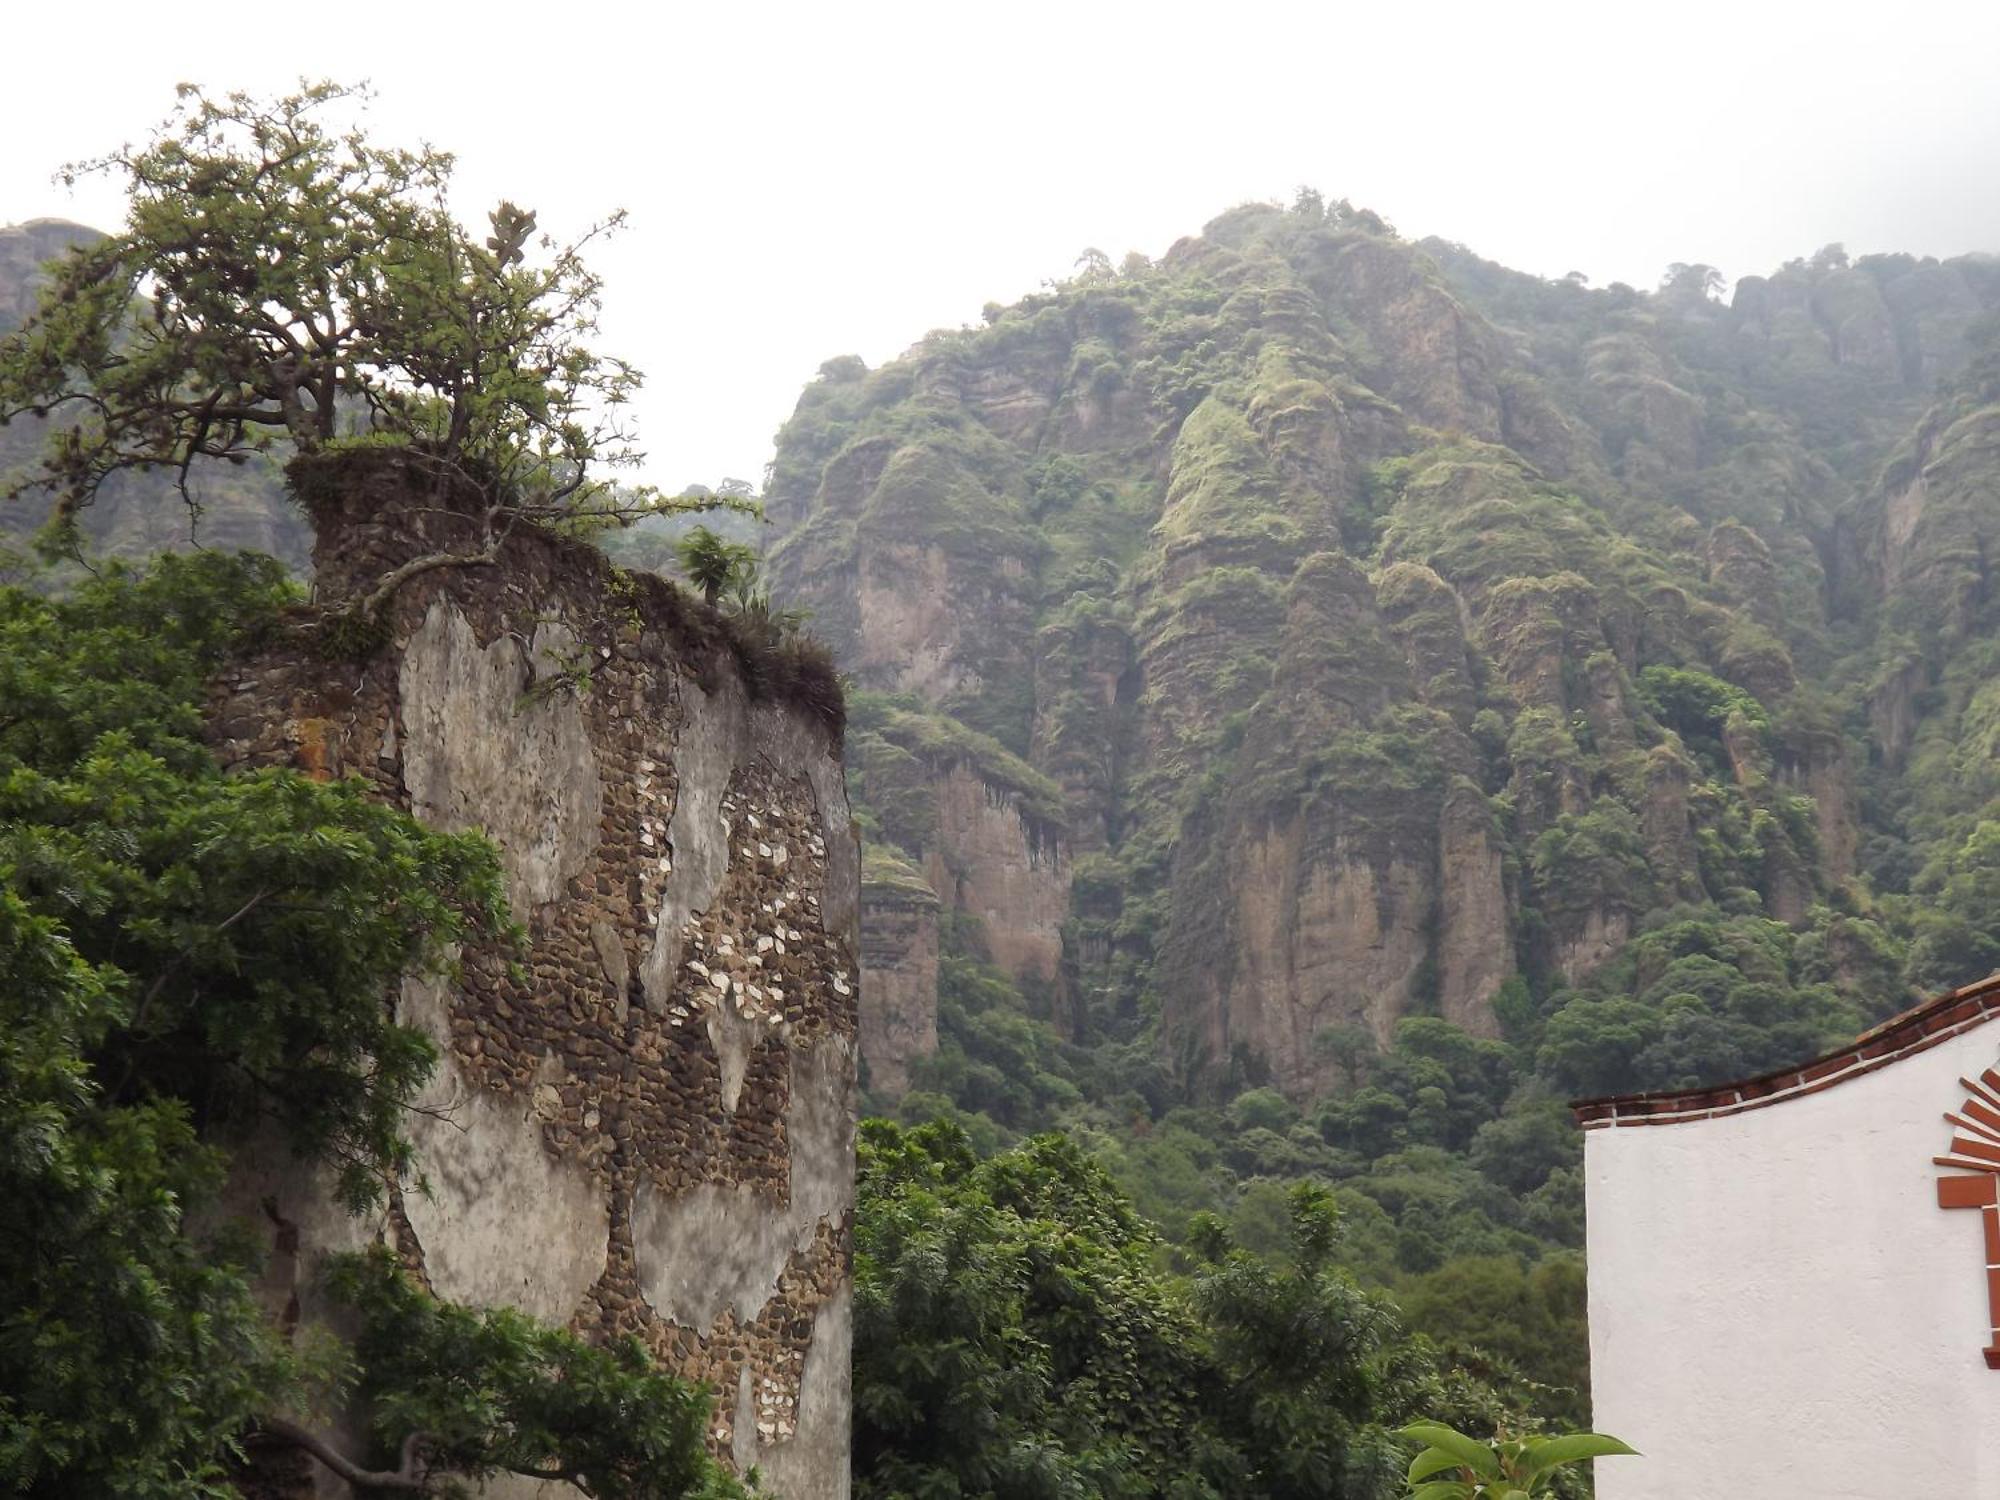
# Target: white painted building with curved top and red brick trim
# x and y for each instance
(1795, 1281)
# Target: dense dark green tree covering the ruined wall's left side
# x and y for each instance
(187, 957)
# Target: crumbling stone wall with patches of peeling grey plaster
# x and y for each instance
(645, 1121)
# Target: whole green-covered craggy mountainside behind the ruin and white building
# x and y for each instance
(1325, 701)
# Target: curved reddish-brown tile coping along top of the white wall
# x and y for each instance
(1901, 1037)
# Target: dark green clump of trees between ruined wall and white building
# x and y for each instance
(1017, 1335)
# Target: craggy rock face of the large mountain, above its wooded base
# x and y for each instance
(1387, 625)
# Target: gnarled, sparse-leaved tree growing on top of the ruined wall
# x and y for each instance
(285, 285)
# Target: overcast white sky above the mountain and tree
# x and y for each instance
(825, 179)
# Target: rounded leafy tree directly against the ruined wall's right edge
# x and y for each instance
(1011, 1335)
